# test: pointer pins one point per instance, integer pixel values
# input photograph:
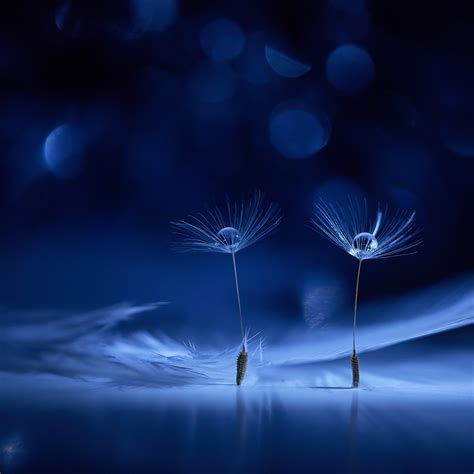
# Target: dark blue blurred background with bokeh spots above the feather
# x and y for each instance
(116, 118)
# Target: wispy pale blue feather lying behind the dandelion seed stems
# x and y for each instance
(100, 354)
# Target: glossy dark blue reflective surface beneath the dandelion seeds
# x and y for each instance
(72, 426)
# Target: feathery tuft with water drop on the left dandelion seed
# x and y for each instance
(240, 225)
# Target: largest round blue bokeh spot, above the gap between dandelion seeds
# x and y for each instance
(298, 134)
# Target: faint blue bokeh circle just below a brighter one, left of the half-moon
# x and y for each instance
(213, 83)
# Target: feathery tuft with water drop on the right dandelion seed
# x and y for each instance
(352, 230)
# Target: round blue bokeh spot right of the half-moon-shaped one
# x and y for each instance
(350, 69)
